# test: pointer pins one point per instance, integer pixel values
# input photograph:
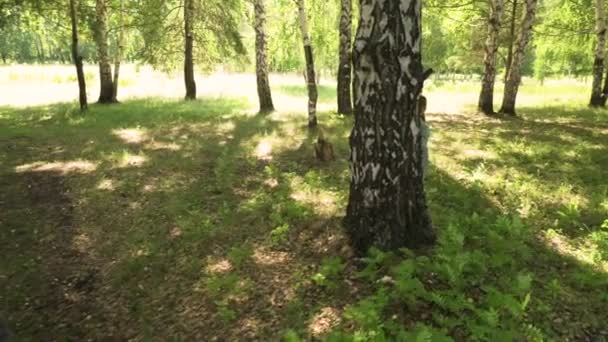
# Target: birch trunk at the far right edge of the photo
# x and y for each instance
(600, 51)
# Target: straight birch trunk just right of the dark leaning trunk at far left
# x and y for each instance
(105, 68)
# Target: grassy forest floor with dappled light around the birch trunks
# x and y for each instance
(158, 219)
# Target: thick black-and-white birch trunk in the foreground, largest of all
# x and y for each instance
(387, 204)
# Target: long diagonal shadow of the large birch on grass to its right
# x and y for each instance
(568, 296)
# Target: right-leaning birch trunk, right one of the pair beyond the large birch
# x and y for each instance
(514, 76)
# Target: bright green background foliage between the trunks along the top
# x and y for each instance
(454, 35)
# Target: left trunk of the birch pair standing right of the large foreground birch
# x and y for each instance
(486, 98)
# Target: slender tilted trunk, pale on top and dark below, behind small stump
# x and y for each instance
(311, 79)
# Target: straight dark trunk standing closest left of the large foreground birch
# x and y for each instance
(344, 69)
